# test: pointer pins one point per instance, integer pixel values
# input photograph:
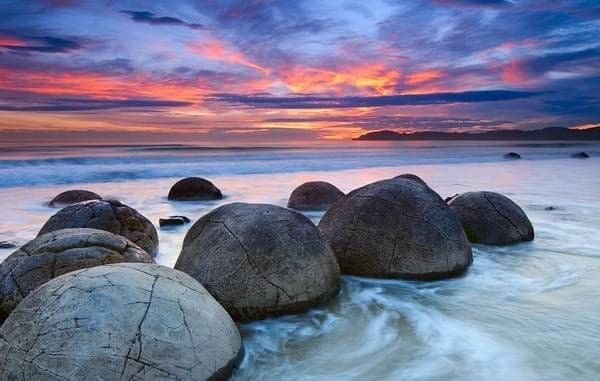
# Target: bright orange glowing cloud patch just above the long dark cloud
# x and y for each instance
(370, 78)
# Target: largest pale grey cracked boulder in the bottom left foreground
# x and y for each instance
(127, 321)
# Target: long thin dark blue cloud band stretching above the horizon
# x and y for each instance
(316, 102)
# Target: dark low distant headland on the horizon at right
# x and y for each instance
(550, 133)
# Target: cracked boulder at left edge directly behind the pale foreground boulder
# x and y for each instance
(58, 253)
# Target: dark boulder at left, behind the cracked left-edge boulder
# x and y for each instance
(109, 215)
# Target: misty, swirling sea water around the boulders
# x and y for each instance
(529, 311)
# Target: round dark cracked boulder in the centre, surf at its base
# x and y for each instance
(260, 260)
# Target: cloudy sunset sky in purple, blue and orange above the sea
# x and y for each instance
(260, 72)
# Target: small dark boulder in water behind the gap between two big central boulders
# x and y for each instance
(314, 195)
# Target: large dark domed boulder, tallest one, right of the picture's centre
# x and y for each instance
(396, 228)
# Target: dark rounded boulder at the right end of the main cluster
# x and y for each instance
(491, 218)
